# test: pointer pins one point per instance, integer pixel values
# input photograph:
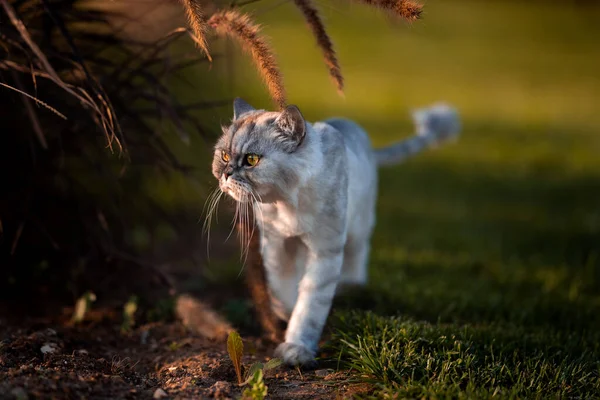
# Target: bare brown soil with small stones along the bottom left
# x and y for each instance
(54, 359)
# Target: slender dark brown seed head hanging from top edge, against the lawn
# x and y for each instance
(315, 23)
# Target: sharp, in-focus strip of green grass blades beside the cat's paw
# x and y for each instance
(418, 359)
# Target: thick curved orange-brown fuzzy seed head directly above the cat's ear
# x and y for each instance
(240, 27)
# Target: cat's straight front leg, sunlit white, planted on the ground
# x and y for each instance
(315, 295)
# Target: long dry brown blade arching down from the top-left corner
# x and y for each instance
(107, 121)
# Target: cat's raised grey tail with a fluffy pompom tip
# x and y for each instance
(434, 125)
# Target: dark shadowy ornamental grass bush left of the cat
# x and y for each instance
(76, 151)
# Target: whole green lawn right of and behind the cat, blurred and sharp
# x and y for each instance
(485, 267)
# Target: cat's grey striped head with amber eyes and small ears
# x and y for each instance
(254, 156)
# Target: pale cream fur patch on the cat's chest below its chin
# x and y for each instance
(283, 220)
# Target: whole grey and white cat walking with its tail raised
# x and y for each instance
(313, 188)
